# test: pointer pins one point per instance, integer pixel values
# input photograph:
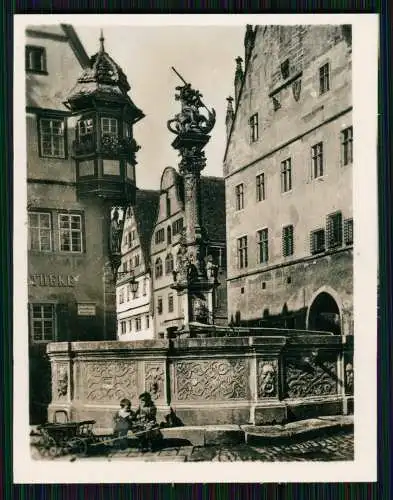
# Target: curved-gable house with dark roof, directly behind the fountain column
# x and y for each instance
(165, 248)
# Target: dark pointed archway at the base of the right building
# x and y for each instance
(324, 314)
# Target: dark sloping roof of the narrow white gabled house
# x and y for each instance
(145, 212)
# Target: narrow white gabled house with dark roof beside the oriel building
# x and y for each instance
(134, 318)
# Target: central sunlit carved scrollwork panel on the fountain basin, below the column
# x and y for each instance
(216, 379)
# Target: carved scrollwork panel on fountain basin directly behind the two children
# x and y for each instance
(108, 381)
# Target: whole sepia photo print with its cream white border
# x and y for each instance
(196, 247)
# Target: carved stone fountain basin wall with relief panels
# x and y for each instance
(205, 380)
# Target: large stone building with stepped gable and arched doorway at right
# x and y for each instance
(288, 180)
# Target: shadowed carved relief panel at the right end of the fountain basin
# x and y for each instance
(304, 379)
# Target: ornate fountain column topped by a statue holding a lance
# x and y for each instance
(194, 277)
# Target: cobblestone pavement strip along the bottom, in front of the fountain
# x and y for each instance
(338, 447)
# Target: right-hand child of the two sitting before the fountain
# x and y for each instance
(146, 428)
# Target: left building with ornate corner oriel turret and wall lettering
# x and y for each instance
(70, 196)
